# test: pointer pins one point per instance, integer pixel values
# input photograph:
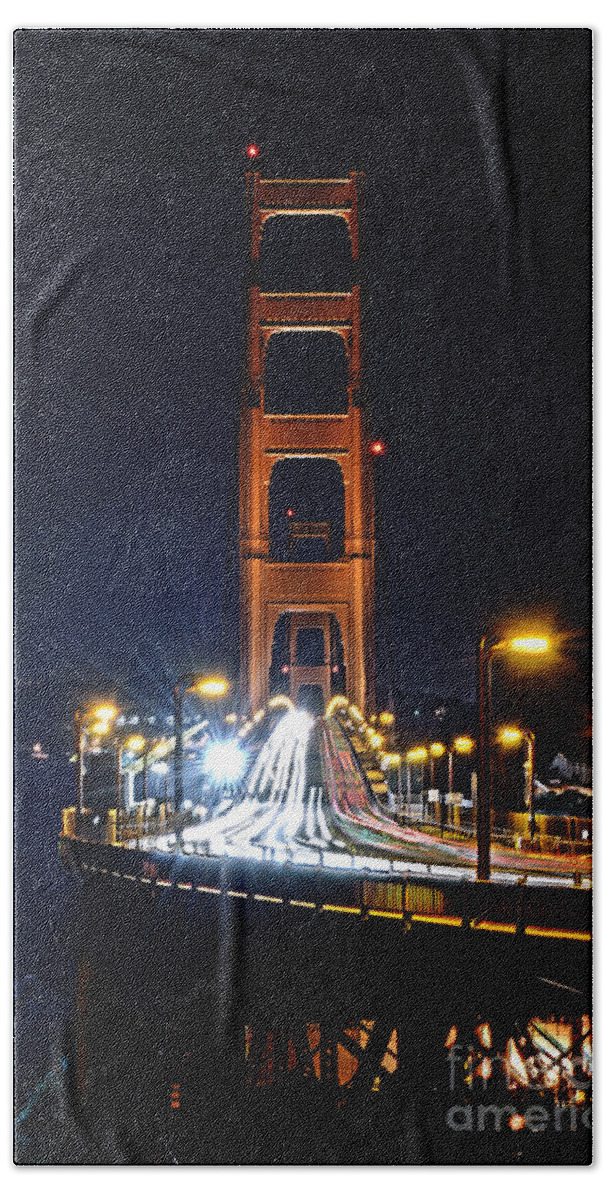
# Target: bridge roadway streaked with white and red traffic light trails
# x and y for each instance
(308, 801)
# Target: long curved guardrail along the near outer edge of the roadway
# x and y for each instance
(436, 902)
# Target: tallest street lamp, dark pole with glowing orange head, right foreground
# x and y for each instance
(528, 645)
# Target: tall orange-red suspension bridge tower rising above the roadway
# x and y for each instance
(335, 590)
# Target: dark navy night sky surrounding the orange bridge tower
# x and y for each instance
(131, 261)
